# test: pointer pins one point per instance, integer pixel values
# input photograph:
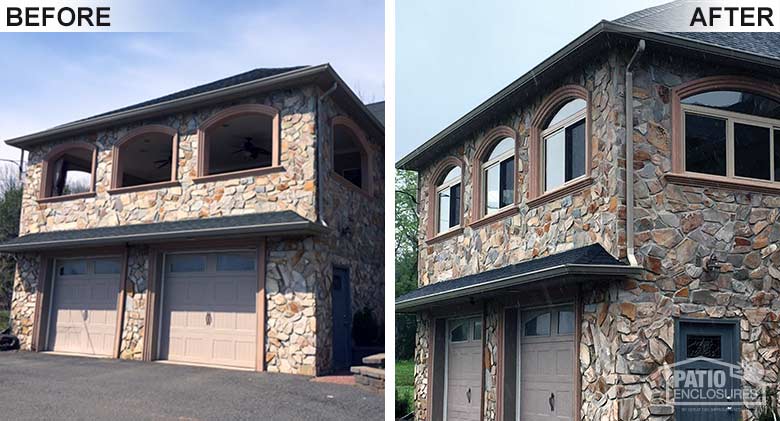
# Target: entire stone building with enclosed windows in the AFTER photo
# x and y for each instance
(606, 221)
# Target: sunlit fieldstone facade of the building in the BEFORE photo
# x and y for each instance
(298, 270)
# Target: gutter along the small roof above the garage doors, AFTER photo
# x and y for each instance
(556, 271)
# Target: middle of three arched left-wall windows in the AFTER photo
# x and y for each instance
(498, 176)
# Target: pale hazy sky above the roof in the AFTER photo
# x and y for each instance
(453, 55)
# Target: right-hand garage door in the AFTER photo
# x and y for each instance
(546, 365)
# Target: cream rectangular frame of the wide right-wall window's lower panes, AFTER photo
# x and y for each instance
(731, 118)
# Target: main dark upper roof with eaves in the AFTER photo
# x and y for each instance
(725, 49)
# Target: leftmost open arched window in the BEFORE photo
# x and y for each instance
(68, 170)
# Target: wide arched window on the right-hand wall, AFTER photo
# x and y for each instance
(732, 133)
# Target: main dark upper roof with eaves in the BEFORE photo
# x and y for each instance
(233, 87)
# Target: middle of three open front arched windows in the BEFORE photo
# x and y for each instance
(146, 155)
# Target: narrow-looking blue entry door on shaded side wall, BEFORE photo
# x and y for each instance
(342, 319)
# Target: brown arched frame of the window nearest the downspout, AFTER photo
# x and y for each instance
(546, 110)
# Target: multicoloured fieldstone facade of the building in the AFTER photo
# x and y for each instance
(707, 252)
